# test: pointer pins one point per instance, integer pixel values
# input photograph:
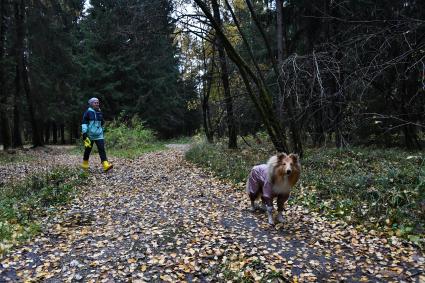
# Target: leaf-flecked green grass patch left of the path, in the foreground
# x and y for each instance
(23, 204)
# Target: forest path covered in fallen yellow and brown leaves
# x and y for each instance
(159, 218)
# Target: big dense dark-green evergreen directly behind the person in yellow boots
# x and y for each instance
(130, 61)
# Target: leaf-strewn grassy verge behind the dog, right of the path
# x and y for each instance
(374, 189)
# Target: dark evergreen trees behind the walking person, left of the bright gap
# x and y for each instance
(58, 54)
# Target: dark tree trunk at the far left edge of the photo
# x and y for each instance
(4, 118)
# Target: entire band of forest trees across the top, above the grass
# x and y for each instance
(304, 72)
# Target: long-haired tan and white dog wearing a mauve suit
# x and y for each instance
(273, 180)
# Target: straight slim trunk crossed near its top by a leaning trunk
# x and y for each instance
(231, 127)
